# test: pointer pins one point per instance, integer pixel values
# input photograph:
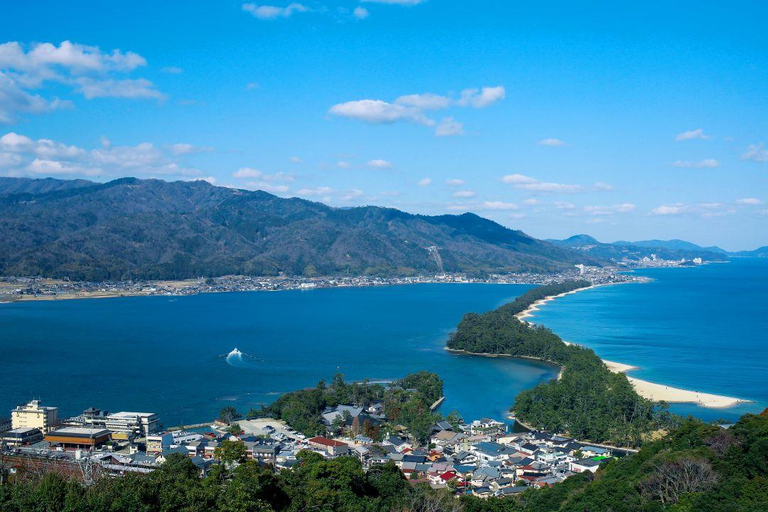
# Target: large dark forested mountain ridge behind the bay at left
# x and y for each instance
(153, 229)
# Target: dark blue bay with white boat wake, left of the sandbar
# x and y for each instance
(166, 354)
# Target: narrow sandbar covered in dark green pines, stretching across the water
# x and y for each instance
(588, 401)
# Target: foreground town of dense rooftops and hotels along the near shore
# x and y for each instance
(482, 458)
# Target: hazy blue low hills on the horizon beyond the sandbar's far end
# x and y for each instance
(633, 251)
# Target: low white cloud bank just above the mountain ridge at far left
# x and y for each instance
(49, 157)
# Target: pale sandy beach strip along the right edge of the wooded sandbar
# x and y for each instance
(650, 390)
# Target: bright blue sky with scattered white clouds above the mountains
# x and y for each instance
(622, 120)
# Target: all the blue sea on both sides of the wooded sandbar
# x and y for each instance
(701, 328)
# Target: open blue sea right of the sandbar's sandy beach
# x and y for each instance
(702, 328)
